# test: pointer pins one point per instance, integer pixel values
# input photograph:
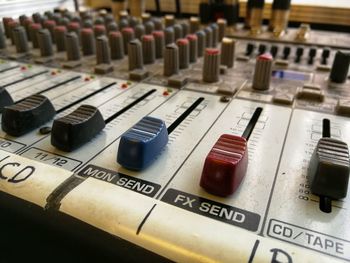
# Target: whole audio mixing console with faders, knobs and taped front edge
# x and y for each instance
(174, 137)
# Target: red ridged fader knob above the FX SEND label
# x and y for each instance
(225, 165)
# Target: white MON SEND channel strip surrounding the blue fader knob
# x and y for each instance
(184, 137)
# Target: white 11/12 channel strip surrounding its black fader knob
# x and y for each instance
(112, 131)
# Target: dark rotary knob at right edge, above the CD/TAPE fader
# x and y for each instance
(340, 67)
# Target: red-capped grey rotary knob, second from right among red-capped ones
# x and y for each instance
(211, 65)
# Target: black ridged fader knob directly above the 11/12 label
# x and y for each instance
(77, 128)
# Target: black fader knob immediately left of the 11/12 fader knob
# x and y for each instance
(23, 117)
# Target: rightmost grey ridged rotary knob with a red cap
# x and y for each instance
(262, 73)
